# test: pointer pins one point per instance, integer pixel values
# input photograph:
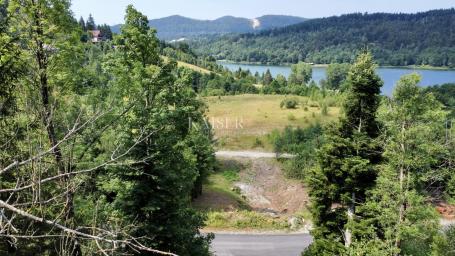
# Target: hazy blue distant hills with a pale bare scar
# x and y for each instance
(176, 27)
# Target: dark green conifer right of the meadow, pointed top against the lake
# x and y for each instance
(347, 163)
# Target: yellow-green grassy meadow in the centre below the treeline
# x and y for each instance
(240, 121)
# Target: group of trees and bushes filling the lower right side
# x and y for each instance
(375, 175)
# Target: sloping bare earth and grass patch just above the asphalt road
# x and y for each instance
(252, 194)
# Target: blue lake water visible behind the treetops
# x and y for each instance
(389, 75)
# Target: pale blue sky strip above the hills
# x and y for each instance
(112, 11)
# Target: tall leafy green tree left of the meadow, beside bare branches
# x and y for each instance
(154, 195)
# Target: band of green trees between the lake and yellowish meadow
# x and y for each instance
(300, 82)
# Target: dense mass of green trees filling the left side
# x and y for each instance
(102, 146)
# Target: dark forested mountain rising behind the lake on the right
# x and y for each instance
(426, 38)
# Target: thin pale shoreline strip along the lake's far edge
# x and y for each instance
(412, 67)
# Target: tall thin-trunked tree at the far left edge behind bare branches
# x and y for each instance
(46, 33)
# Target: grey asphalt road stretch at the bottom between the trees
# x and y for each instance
(260, 245)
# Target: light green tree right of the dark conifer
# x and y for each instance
(414, 141)
